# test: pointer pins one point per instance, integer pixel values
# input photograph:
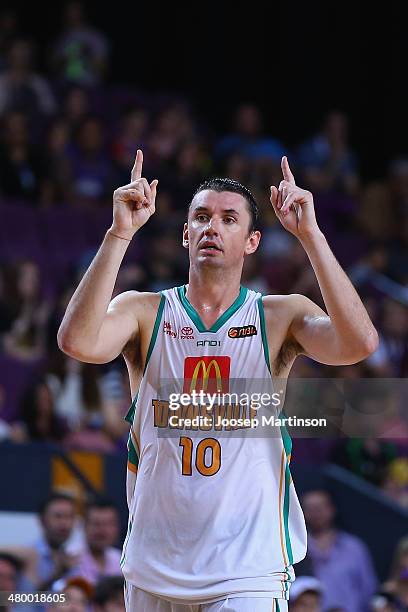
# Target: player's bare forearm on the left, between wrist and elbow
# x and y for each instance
(88, 305)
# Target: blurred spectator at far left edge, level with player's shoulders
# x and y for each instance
(26, 338)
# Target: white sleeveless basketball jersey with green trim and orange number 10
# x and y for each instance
(212, 511)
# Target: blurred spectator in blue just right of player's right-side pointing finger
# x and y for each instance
(327, 162)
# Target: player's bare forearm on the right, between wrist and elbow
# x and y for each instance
(343, 304)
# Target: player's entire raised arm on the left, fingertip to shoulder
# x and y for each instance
(96, 328)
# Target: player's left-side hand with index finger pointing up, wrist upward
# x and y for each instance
(134, 203)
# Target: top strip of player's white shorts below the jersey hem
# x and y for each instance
(137, 600)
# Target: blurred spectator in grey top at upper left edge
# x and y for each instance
(21, 89)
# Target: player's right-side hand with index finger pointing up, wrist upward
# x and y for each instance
(293, 206)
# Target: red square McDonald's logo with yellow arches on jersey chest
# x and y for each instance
(209, 374)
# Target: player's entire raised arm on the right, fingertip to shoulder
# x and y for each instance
(344, 334)
